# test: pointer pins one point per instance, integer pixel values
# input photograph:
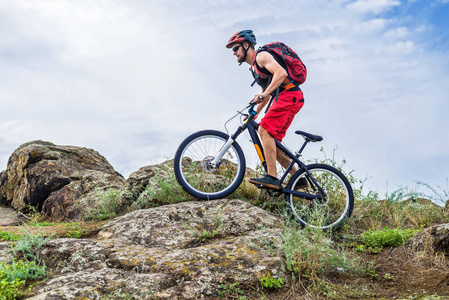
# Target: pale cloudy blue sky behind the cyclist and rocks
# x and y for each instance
(131, 79)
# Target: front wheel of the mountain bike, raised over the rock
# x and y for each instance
(197, 174)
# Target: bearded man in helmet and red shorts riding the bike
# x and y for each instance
(287, 101)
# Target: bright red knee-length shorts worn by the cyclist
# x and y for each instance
(281, 113)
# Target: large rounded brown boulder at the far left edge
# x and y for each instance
(53, 178)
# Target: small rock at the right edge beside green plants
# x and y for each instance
(433, 239)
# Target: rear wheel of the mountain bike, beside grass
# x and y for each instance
(325, 198)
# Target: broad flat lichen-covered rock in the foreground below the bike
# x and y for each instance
(180, 251)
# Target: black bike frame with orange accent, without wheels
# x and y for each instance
(252, 127)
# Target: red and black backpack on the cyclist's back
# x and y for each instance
(287, 58)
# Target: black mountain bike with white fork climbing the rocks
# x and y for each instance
(210, 164)
